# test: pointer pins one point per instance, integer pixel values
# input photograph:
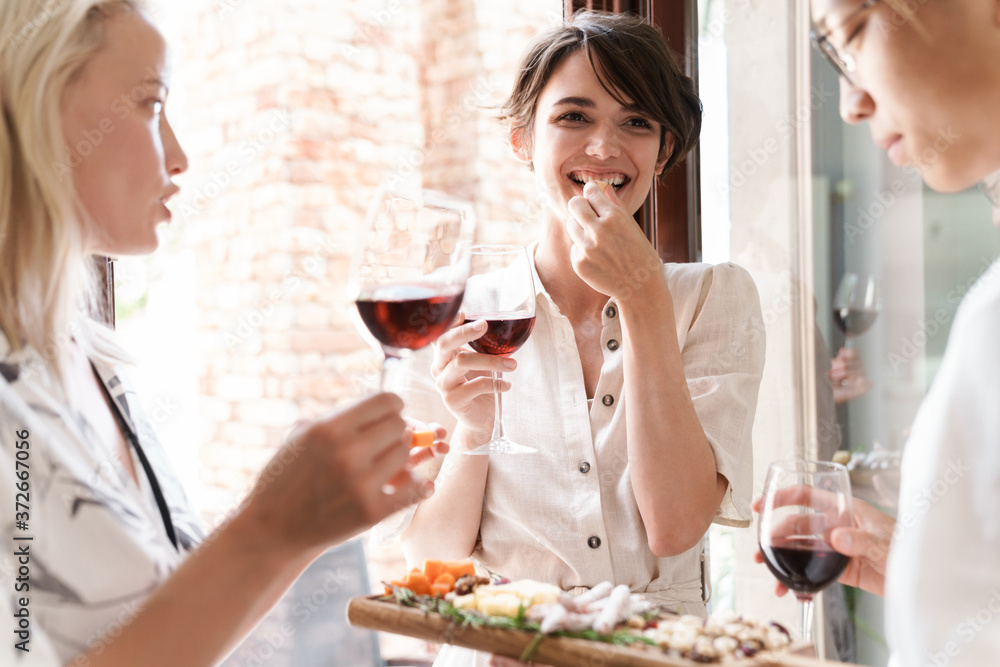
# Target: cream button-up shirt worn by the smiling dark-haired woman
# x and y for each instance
(543, 511)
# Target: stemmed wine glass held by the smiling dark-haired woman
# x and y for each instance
(501, 290)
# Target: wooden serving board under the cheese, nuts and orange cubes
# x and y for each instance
(369, 612)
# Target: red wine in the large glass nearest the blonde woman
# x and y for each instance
(409, 317)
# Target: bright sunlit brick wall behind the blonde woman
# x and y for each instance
(292, 112)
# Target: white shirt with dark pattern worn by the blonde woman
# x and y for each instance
(98, 544)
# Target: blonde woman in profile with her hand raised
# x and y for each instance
(104, 561)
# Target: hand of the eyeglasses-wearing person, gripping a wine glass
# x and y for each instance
(866, 543)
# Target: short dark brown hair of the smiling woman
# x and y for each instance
(631, 60)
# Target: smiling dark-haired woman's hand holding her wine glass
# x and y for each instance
(463, 378)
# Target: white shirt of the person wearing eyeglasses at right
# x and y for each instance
(943, 586)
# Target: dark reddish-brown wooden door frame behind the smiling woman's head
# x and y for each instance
(671, 216)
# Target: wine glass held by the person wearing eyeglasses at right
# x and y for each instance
(803, 502)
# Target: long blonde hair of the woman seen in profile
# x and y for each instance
(47, 281)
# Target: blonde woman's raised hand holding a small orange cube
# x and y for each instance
(335, 477)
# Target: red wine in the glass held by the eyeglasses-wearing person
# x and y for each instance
(803, 564)
